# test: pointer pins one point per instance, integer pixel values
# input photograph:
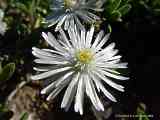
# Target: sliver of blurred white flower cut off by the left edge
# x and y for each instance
(3, 25)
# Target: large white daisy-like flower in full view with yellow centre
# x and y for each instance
(80, 63)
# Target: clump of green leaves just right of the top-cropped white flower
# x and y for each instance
(116, 9)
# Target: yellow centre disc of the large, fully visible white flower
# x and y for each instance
(84, 56)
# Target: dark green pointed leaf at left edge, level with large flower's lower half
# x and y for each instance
(7, 71)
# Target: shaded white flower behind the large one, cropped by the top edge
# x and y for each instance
(66, 13)
